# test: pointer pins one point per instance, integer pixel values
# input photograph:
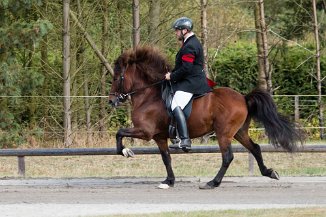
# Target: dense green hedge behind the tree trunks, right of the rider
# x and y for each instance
(293, 73)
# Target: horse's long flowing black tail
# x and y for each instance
(280, 131)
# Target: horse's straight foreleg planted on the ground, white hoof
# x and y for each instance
(166, 157)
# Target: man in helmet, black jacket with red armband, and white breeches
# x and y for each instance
(187, 77)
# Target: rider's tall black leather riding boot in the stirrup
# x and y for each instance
(185, 142)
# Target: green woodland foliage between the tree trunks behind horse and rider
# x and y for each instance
(31, 57)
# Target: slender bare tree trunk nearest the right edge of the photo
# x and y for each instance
(319, 79)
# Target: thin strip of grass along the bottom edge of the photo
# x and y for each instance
(295, 212)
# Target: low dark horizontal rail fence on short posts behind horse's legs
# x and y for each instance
(21, 153)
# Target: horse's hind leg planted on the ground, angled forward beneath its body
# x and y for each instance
(227, 157)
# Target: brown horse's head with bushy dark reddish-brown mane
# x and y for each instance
(136, 70)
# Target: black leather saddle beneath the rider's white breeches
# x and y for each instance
(167, 96)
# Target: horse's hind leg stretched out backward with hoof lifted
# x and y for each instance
(243, 137)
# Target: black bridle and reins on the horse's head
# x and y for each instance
(121, 96)
